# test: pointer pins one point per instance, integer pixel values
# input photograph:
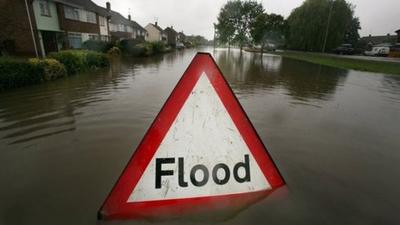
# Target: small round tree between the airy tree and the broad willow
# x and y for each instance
(268, 29)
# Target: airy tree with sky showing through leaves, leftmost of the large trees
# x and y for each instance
(235, 21)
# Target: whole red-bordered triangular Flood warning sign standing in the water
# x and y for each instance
(201, 152)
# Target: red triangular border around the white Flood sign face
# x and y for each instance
(116, 205)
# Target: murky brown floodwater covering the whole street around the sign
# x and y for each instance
(334, 135)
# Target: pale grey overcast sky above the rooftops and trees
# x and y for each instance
(197, 16)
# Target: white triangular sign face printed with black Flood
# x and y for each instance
(202, 154)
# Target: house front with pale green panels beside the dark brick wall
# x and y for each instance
(63, 24)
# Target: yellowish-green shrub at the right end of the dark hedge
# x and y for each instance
(52, 68)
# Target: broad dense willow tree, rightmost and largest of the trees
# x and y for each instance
(309, 22)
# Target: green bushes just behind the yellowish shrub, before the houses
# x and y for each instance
(80, 60)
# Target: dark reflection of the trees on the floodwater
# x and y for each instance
(302, 81)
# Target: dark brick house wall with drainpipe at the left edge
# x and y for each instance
(15, 26)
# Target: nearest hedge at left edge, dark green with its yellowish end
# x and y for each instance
(17, 73)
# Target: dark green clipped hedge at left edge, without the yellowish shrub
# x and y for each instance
(17, 73)
